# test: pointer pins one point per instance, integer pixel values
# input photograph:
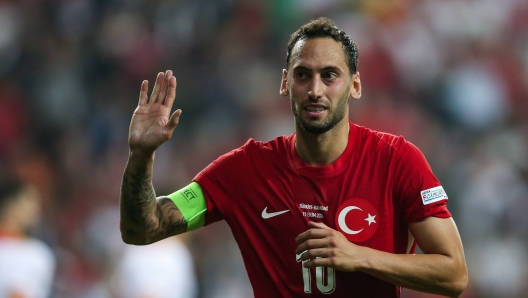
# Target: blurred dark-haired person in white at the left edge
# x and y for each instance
(27, 265)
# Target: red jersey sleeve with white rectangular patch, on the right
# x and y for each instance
(420, 193)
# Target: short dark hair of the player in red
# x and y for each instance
(325, 27)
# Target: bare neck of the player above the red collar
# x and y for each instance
(322, 149)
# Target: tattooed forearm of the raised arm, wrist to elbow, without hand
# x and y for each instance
(138, 200)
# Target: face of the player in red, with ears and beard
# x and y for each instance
(319, 84)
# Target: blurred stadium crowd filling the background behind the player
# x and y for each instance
(450, 76)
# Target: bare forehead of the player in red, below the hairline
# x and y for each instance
(318, 52)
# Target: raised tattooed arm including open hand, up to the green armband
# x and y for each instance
(145, 219)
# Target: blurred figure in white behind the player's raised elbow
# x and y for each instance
(164, 269)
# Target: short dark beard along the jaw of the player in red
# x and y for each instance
(320, 127)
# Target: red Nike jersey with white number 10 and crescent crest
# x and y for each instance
(267, 194)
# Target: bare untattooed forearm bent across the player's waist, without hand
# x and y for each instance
(431, 273)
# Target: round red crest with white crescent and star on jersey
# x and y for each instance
(357, 219)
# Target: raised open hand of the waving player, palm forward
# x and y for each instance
(152, 124)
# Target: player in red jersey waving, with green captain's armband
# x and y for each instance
(331, 210)
